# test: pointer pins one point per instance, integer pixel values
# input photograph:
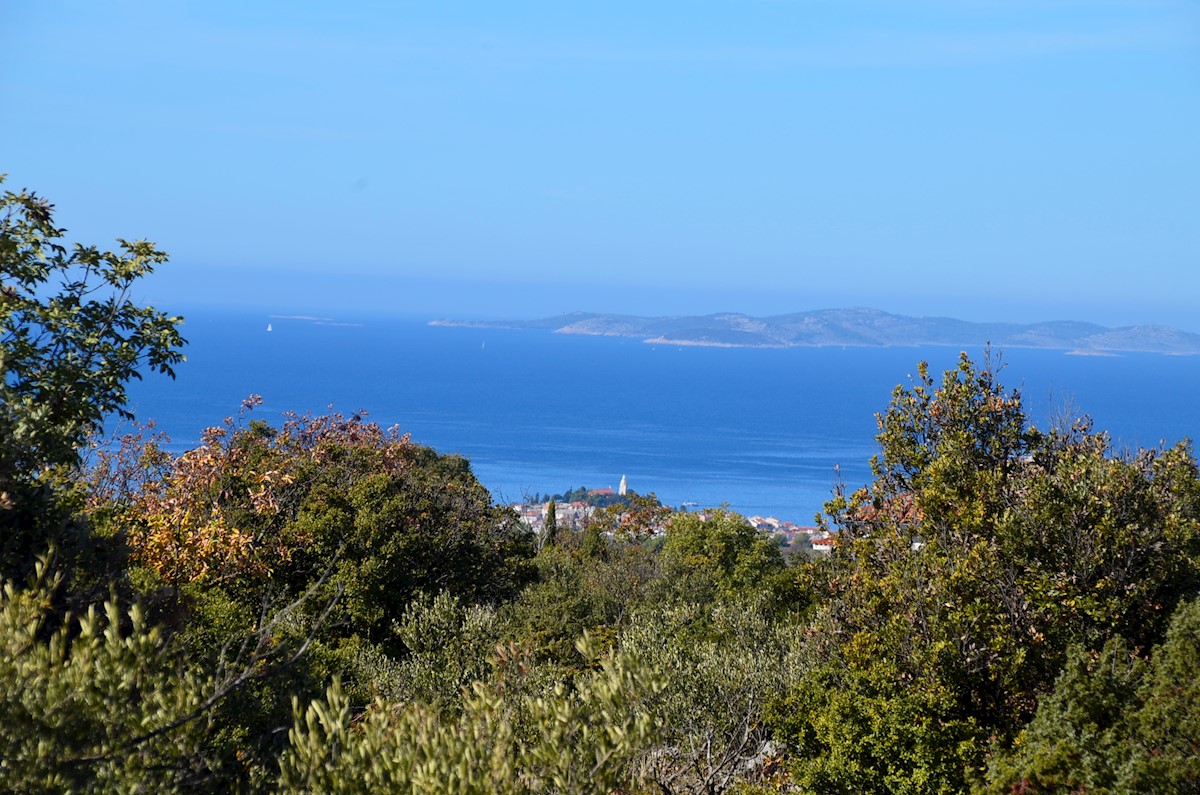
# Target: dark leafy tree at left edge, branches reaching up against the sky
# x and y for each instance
(71, 339)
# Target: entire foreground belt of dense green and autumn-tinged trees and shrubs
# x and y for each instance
(325, 606)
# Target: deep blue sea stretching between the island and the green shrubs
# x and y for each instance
(763, 432)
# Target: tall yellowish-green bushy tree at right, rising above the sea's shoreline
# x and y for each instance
(982, 552)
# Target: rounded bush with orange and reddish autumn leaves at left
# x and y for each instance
(255, 509)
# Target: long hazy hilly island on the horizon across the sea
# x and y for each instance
(859, 327)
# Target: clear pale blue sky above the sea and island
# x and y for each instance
(989, 160)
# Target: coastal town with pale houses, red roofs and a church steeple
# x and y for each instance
(575, 509)
